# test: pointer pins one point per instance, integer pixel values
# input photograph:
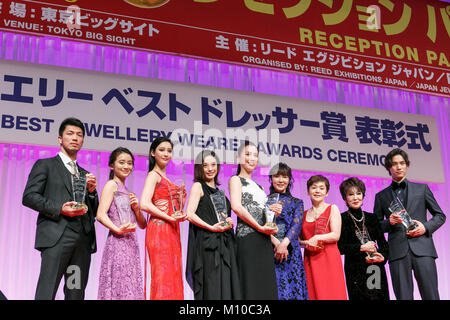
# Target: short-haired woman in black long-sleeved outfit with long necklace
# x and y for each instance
(364, 246)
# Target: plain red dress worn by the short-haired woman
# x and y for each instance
(324, 273)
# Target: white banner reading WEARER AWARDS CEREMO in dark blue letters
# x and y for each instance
(120, 110)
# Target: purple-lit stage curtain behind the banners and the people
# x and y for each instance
(19, 262)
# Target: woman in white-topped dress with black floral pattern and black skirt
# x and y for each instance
(254, 248)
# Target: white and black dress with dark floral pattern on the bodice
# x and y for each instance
(254, 249)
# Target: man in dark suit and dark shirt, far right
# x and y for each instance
(413, 250)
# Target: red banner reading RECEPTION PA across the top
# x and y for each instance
(401, 44)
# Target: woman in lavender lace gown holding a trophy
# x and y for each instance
(120, 271)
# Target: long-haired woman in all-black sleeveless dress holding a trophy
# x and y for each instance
(211, 269)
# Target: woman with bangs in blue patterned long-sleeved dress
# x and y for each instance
(289, 267)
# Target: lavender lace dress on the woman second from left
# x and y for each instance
(120, 271)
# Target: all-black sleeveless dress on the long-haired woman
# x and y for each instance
(211, 267)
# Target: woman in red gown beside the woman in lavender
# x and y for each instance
(162, 237)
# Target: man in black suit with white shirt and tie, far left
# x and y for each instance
(64, 235)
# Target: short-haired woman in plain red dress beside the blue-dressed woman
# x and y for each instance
(320, 232)
